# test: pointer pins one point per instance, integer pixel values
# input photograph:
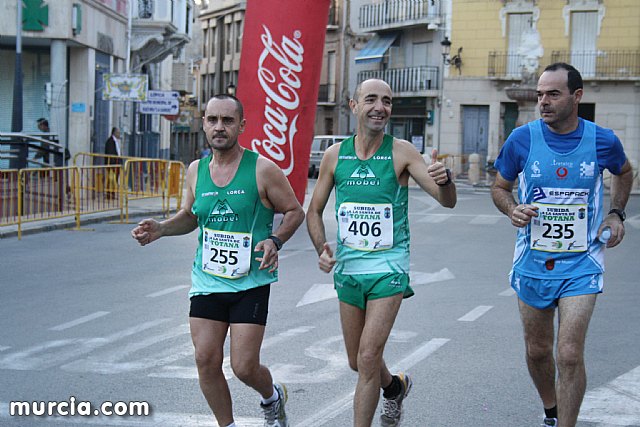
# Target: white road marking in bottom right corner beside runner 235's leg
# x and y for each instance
(614, 404)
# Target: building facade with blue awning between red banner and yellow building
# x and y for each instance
(399, 41)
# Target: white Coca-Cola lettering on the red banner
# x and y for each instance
(281, 98)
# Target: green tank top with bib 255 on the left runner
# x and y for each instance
(232, 220)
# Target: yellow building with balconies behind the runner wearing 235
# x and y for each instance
(501, 42)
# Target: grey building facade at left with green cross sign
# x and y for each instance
(67, 48)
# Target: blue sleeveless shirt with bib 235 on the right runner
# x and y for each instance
(567, 189)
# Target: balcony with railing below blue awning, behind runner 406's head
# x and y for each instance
(412, 81)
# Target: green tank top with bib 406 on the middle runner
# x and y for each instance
(372, 212)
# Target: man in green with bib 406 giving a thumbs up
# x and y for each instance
(370, 172)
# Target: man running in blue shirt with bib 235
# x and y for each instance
(559, 258)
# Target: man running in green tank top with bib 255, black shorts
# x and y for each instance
(231, 197)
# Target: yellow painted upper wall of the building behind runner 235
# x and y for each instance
(476, 26)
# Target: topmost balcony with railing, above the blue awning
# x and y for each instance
(393, 14)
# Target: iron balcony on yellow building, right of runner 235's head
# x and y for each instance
(602, 64)
